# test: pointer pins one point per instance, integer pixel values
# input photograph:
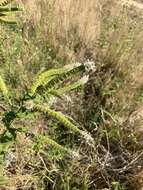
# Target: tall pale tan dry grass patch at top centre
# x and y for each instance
(69, 24)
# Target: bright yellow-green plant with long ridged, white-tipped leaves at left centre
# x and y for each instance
(35, 101)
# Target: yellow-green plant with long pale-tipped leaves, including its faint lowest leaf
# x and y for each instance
(32, 102)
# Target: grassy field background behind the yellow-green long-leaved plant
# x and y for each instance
(51, 34)
